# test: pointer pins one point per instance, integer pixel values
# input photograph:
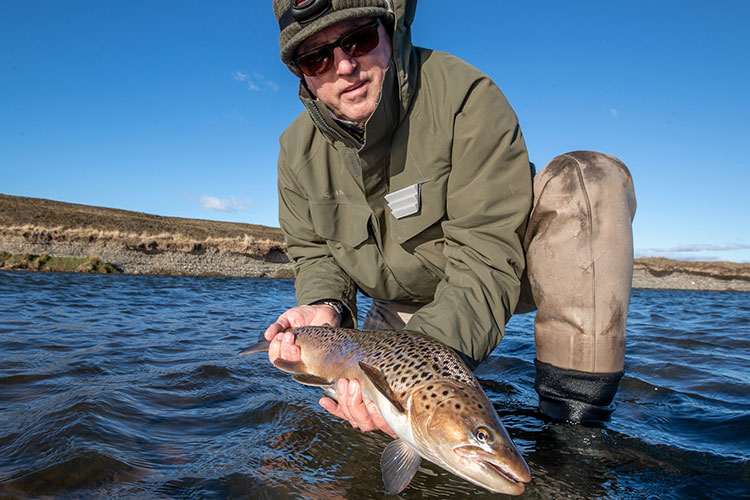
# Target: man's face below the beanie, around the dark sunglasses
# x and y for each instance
(351, 87)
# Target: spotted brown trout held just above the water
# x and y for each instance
(426, 394)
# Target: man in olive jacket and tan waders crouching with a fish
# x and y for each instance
(407, 177)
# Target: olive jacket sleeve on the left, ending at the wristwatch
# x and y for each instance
(317, 276)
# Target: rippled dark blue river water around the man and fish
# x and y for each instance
(131, 387)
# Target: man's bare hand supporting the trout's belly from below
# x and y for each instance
(362, 415)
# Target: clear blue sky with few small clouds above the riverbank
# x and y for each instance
(174, 107)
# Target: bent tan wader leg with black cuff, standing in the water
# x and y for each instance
(579, 250)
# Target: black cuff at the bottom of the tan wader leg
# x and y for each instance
(575, 396)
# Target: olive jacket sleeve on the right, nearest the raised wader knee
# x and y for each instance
(487, 204)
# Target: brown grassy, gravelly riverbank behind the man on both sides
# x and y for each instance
(137, 243)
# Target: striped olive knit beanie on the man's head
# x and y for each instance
(300, 19)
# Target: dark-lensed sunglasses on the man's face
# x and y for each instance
(356, 43)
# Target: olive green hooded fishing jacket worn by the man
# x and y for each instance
(445, 126)
